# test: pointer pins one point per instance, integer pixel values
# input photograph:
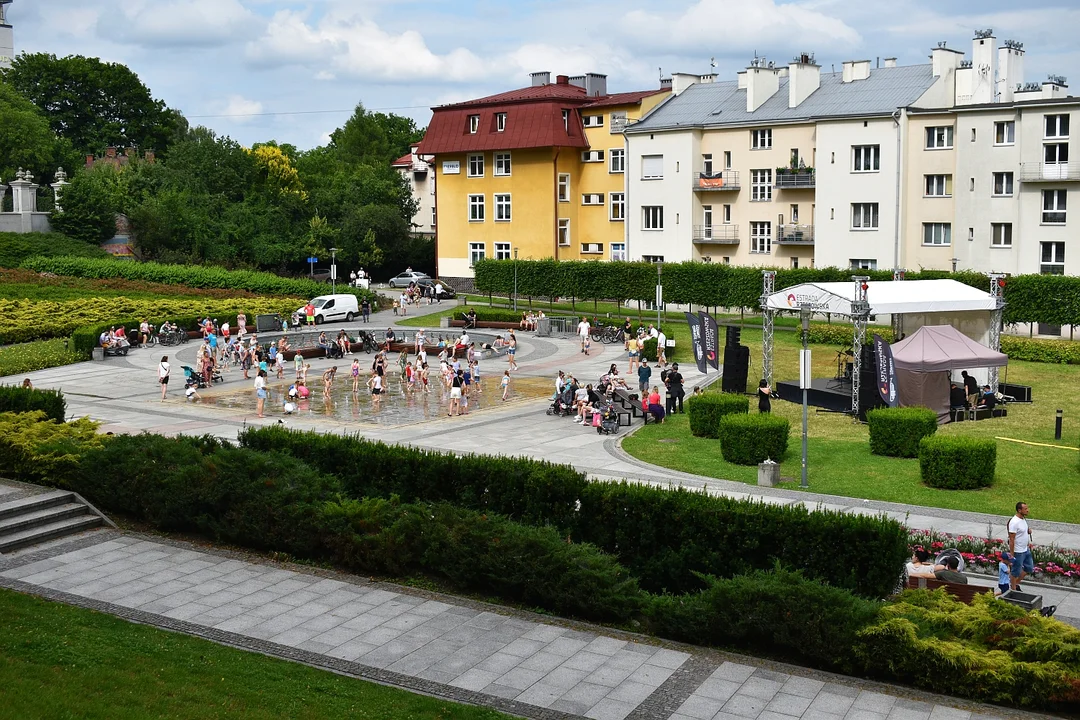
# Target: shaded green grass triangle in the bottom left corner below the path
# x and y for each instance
(63, 662)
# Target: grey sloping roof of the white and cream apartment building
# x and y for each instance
(725, 104)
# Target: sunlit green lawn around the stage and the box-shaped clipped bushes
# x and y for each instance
(841, 463)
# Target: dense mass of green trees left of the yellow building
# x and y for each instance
(206, 198)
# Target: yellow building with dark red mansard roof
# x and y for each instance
(539, 171)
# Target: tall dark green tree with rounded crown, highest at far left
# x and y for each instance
(93, 104)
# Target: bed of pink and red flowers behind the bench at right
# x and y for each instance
(1056, 566)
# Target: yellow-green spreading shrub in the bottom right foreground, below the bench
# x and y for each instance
(990, 650)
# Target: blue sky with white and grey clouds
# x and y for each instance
(293, 71)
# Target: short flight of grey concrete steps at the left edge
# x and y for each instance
(44, 518)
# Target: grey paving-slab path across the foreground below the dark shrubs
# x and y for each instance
(460, 650)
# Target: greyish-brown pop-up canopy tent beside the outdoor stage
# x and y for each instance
(926, 360)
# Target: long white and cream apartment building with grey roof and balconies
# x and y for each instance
(952, 165)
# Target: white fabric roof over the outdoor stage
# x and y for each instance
(886, 298)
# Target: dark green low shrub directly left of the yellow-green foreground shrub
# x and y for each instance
(777, 613)
